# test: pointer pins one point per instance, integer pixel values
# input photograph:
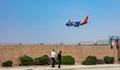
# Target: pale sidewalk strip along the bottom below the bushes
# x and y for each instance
(66, 67)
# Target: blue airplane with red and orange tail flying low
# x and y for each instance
(77, 24)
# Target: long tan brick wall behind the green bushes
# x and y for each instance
(13, 52)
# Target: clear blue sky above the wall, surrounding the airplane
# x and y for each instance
(43, 21)
